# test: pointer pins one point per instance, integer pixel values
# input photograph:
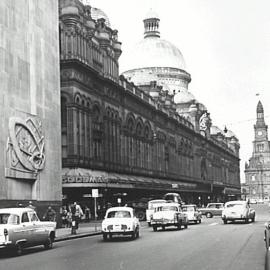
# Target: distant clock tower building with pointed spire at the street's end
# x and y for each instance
(257, 169)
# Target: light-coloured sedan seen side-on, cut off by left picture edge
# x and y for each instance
(21, 228)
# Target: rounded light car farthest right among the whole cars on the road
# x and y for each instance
(238, 210)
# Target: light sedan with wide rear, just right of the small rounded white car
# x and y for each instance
(169, 214)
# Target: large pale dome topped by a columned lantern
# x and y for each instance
(157, 56)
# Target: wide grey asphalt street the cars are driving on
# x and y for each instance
(207, 246)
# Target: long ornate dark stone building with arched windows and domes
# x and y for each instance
(134, 139)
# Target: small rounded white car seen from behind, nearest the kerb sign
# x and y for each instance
(120, 221)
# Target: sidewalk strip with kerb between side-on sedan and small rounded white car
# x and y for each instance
(85, 229)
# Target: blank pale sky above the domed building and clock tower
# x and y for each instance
(226, 47)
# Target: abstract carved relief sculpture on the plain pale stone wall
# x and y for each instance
(25, 148)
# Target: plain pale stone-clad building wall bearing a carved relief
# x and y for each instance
(30, 140)
